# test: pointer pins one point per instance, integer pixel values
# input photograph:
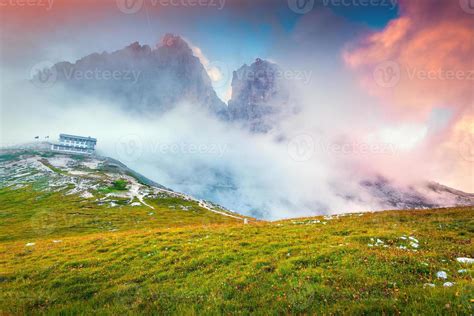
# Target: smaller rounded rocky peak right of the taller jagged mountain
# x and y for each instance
(260, 97)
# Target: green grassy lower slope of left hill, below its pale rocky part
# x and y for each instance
(29, 214)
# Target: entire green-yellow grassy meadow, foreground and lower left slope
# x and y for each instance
(64, 255)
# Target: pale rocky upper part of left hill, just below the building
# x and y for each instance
(106, 181)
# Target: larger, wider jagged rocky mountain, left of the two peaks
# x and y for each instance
(143, 79)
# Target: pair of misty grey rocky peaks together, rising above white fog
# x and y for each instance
(152, 81)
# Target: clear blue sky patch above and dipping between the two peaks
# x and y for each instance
(235, 36)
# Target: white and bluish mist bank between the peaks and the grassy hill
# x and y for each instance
(297, 170)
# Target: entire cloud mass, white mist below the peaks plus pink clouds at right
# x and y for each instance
(352, 125)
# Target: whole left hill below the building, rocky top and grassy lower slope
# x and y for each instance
(45, 194)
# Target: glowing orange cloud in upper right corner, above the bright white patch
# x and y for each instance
(421, 60)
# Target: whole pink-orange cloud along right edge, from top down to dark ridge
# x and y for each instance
(420, 62)
